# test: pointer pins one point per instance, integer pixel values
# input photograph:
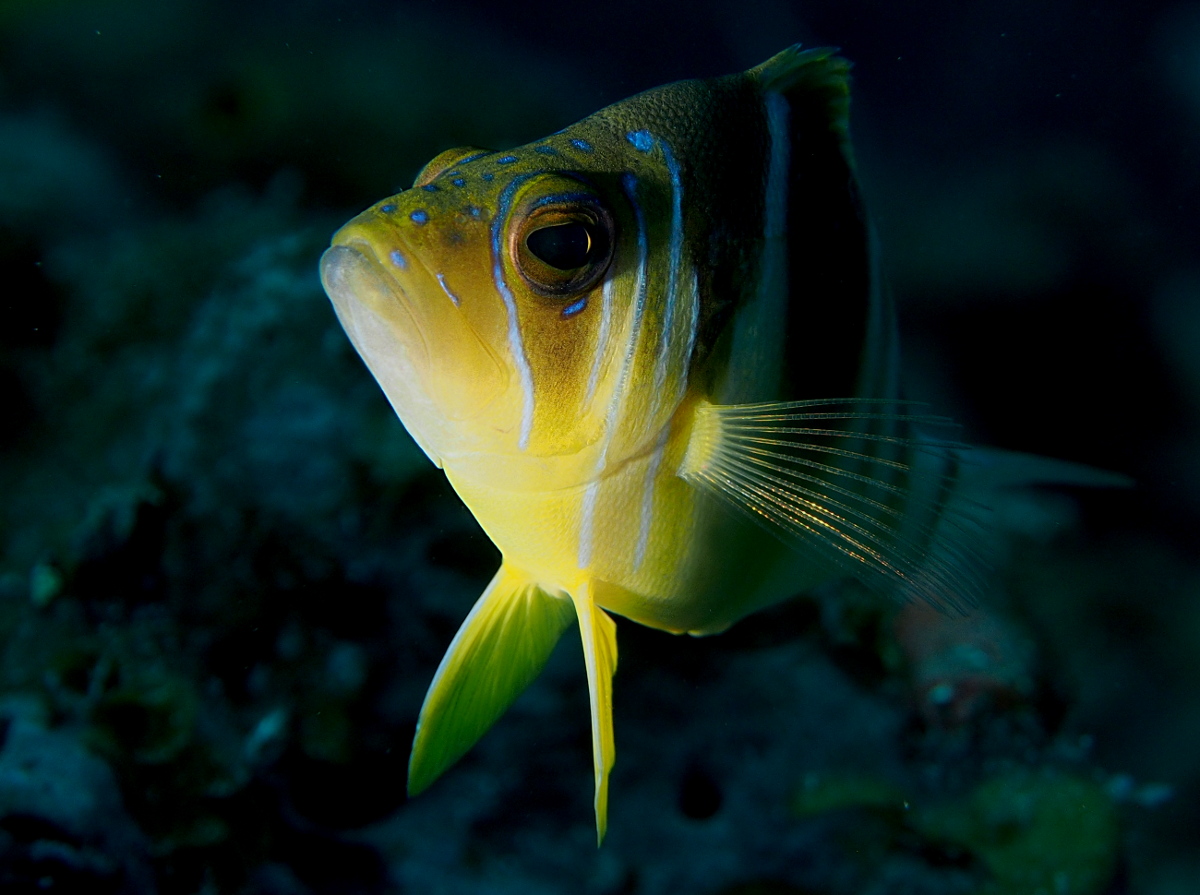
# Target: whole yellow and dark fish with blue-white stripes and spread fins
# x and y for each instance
(631, 346)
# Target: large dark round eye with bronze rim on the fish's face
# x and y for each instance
(563, 245)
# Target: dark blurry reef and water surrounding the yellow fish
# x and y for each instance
(227, 575)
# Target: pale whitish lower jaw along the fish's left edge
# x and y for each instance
(377, 315)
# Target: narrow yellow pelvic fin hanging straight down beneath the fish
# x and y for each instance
(599, 635)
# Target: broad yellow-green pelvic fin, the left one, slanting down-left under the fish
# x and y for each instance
(500, 650)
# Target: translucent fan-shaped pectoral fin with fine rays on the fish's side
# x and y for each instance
(885, 507)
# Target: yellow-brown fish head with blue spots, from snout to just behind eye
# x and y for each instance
(494, 303)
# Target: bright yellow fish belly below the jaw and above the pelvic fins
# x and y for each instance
(651, 546)
